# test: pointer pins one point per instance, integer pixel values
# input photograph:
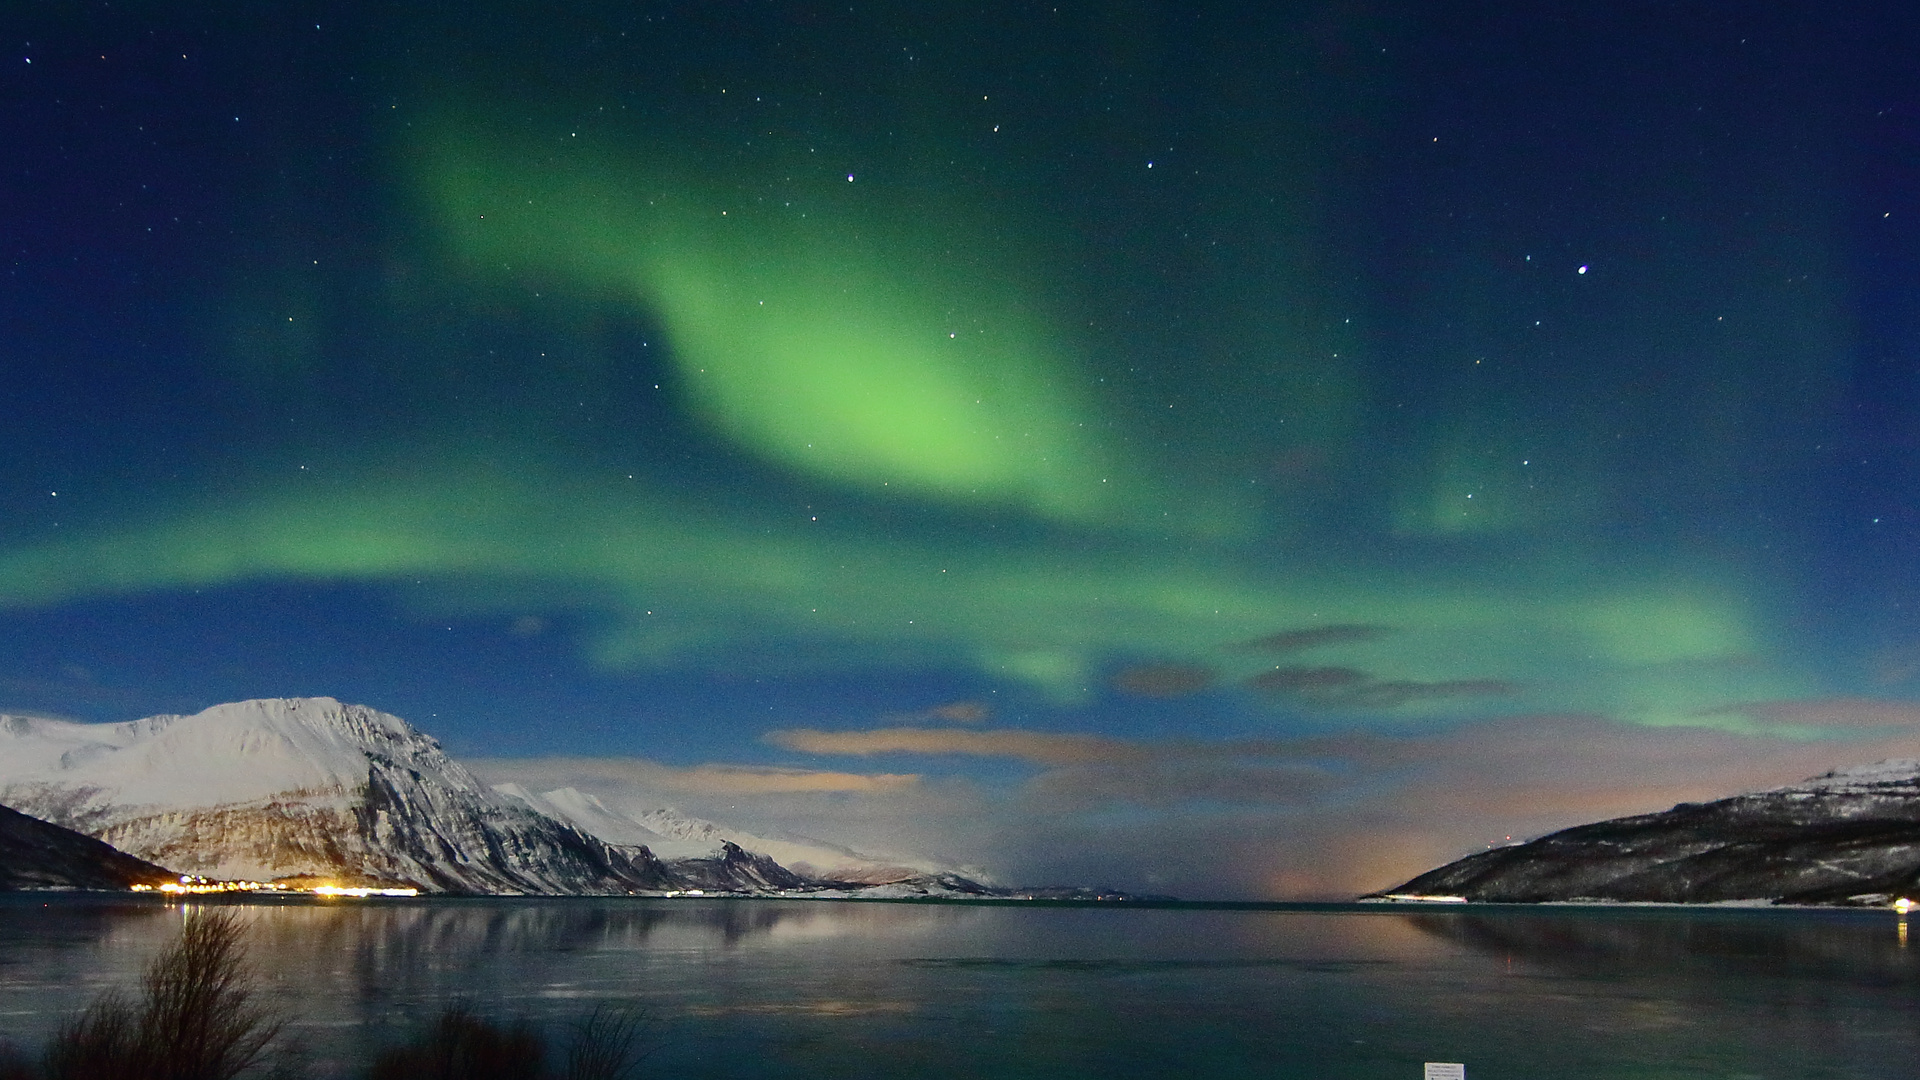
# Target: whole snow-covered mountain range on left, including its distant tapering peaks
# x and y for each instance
(310, 791)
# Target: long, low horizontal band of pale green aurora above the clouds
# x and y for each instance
(688, 585)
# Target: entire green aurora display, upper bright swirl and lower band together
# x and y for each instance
(878, 339)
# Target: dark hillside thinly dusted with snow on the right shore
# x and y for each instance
(1850, 837)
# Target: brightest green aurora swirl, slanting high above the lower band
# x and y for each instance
(850, 343)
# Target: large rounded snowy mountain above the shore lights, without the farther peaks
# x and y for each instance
(302, 789)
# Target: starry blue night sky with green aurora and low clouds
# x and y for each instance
(1251, 451)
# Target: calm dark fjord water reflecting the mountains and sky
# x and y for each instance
(903, 991)
